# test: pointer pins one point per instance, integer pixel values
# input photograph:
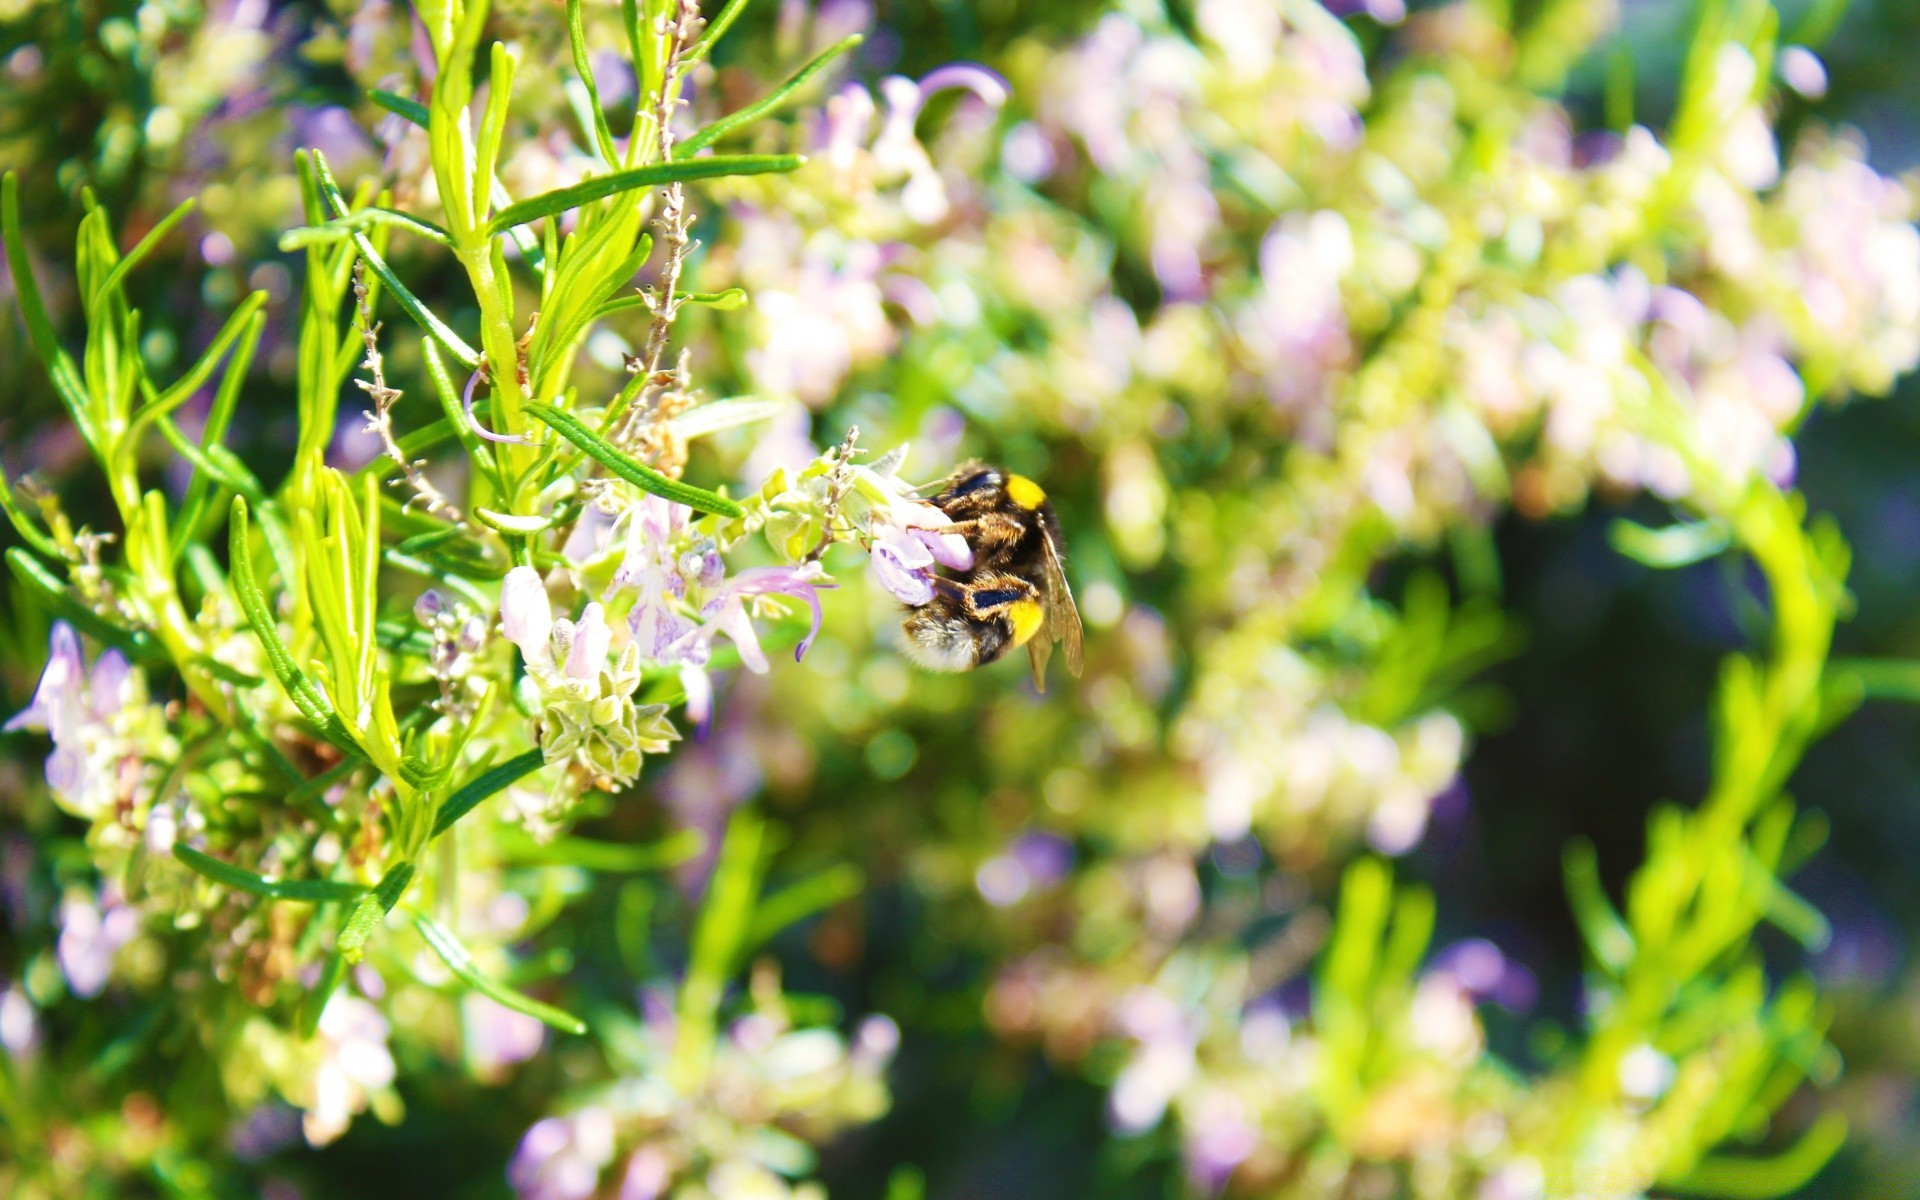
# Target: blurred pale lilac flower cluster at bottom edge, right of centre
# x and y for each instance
(1249, 1080)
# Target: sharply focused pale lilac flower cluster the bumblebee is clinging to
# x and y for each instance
(667, 596)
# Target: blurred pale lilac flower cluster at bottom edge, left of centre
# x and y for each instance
(771, 1093)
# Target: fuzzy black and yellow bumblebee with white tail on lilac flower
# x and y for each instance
(1017, 592)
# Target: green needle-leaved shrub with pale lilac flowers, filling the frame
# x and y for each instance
(427, 761)
